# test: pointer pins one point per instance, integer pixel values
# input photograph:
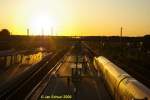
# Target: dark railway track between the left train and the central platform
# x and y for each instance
(18, 87)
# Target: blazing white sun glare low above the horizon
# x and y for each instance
(43, 25)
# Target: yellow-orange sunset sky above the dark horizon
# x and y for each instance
(76, 17)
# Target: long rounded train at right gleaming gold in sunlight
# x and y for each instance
(119, 83)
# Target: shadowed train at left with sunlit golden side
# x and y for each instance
(9, 58)
